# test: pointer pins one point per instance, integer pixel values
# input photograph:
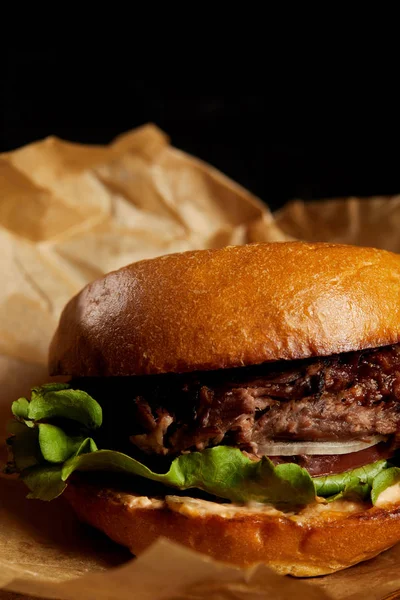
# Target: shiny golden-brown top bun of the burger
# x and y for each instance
(235, 306)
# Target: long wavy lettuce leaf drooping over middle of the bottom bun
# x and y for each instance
(222, 471)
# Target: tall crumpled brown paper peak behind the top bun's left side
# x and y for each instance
(69, 213)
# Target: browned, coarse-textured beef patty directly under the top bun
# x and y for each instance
(341, 397)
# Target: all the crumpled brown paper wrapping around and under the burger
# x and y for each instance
(69, 213)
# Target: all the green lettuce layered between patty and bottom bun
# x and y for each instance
(53, 437)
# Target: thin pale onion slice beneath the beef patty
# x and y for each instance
(320, 448)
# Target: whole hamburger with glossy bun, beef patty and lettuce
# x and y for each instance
(242, 401)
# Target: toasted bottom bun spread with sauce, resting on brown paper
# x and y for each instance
(320, 539)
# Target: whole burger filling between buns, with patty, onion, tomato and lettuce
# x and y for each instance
(280, 433)
